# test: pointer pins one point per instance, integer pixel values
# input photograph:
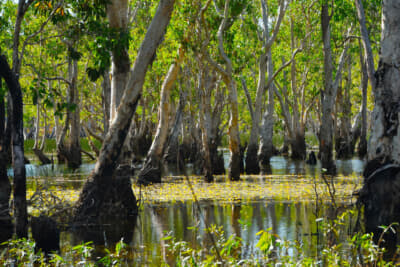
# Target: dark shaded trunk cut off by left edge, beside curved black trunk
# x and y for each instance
(6, 226)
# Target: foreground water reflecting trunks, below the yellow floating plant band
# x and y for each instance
(291, 221)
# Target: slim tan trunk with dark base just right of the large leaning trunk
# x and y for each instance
(151, 171)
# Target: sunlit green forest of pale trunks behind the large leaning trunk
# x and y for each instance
(266, 65)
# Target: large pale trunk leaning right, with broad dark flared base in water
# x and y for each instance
(102, 195)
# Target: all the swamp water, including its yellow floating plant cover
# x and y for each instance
(288, 203)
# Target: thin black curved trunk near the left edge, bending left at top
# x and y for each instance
(17, 135)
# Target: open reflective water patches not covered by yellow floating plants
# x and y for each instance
(291, 220)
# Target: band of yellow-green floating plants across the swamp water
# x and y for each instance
(288, 188)
